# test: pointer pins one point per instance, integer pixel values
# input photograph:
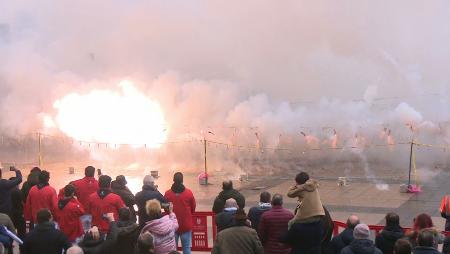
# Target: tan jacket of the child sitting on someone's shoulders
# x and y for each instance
(308, 196)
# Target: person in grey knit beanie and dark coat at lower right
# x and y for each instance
(362, 244)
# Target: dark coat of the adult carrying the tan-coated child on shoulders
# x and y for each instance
(304, 238)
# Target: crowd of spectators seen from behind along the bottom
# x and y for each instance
(99, 216)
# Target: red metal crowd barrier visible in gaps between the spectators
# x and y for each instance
(204, 230)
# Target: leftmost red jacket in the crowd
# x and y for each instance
(40, 196)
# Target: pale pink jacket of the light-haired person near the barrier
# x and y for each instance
(163, 231)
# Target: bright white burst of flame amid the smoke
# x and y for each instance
(115, 117)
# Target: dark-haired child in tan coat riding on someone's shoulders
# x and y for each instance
(310, 208)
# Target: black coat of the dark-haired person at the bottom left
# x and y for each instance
(45, 239)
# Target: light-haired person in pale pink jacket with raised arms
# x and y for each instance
(161, 227)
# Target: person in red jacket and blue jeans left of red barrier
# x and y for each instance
(184, 206)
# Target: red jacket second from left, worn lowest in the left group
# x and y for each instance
(69, 212)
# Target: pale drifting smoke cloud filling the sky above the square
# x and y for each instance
(295, 73)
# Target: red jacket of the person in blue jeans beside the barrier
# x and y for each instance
(183, 206)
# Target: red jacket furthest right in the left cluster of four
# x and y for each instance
(103, 202)
